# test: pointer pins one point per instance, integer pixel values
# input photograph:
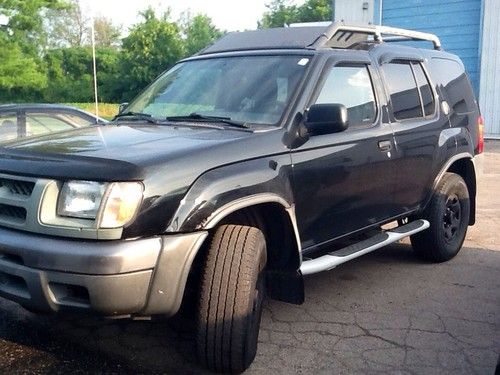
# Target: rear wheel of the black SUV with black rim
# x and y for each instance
(448, 214)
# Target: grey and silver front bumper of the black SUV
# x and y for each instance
(138, 277)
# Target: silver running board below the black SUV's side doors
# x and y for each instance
(335, 258)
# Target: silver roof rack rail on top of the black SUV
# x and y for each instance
(341, 35)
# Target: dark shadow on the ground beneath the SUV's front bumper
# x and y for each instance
(85, 344)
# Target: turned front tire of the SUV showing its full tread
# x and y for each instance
(232, 292)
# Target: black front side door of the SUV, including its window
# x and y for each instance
(341, 180)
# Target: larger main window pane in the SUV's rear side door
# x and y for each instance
(403, 90)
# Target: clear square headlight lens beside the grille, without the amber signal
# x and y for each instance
(80, 199)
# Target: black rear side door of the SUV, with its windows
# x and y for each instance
(417, 125)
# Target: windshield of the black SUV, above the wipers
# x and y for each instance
(247, 89)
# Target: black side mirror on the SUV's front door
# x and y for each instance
(326, 119)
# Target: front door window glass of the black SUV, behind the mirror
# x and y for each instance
(352, 87)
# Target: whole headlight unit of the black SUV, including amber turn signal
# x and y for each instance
(113, 205)
